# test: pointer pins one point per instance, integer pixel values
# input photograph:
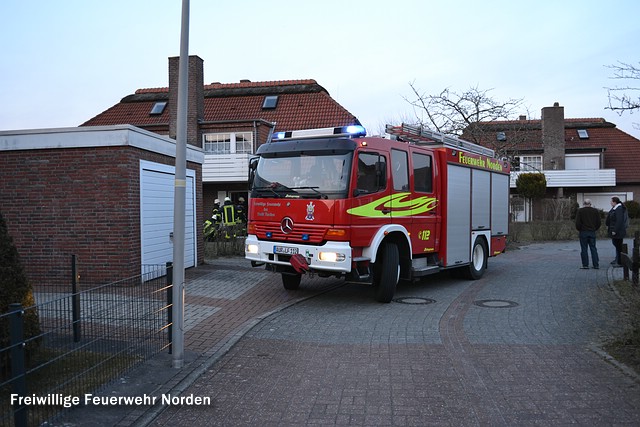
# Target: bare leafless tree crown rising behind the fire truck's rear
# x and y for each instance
(471, 114)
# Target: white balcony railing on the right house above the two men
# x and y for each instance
(574, 178)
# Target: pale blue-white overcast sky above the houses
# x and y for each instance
(63, 62)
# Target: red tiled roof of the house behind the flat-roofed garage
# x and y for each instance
(301, 104)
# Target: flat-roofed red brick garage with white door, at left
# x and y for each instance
(103, 194)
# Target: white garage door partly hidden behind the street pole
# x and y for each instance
(156, 215)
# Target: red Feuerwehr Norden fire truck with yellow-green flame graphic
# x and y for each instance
(334, 202)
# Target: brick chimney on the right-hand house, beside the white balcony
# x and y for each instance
(553, 137)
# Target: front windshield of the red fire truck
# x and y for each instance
(321, 175)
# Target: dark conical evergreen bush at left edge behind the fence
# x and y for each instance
(14, 288)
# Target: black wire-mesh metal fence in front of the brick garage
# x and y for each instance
(86, 338)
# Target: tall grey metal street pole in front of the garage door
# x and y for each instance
(180, 193)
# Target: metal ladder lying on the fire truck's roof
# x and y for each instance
(421, 136)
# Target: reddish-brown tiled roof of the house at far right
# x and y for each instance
(621, 150)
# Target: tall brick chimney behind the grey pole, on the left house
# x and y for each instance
(195, 98)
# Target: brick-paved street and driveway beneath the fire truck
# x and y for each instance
(518, 347)
